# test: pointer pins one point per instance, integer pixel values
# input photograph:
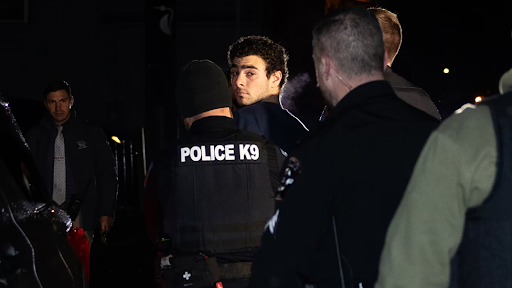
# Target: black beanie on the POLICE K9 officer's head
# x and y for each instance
(201, 87)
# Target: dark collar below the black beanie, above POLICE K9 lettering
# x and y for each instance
(214, 126)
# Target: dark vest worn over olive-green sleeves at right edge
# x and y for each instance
(484, 258)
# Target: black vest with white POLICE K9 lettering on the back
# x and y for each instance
(222, 194)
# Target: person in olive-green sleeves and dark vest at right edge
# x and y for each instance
(452, 228)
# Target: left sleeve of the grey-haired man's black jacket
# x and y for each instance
(287, 254)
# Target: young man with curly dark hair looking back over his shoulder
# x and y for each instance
(258, 75)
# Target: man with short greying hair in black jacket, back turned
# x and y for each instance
(342, 185)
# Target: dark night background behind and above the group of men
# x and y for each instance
(121, 58)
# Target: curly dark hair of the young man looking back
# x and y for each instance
(273, 54)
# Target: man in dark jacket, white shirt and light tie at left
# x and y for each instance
(87, 168)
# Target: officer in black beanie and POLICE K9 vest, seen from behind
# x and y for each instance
(214, 187)
